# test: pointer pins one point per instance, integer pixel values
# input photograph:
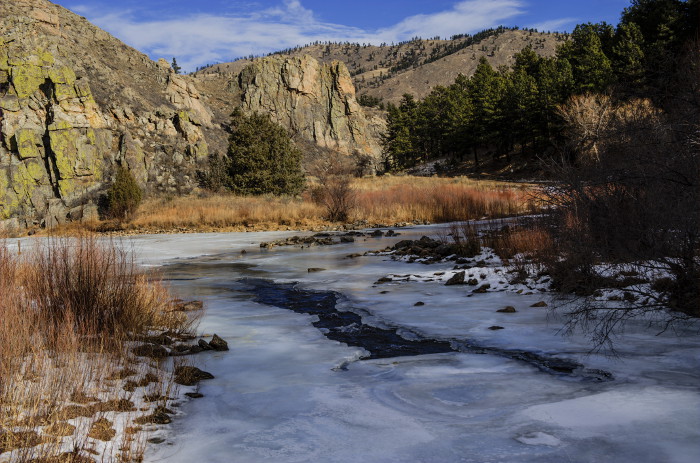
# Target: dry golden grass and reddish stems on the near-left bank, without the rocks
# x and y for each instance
(69, 310)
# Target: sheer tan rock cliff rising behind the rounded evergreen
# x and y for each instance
(314, 101)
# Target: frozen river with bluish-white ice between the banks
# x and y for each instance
(286, 392)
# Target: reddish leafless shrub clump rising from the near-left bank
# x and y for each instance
(93, 286)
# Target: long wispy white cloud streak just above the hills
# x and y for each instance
(204, 38)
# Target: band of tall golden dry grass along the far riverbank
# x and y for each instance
(377, 200)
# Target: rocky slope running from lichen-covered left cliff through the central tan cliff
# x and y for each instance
(76, 102)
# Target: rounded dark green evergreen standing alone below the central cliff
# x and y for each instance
(261, 157)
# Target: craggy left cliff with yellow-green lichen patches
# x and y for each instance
(74, 102)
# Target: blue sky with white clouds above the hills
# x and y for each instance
(210, 31)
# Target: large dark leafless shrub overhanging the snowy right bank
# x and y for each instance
(629, 203)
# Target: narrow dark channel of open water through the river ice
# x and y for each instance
(348, 327)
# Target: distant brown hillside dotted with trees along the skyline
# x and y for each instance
(389, 71)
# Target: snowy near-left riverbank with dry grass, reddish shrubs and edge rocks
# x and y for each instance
(92, 353)
